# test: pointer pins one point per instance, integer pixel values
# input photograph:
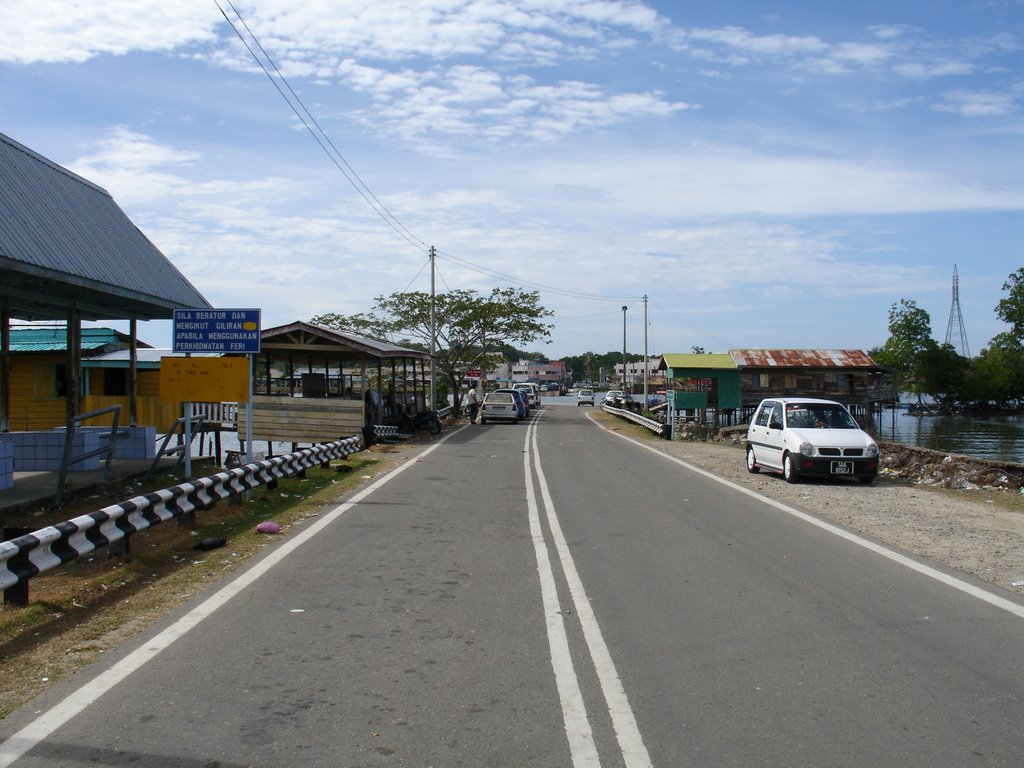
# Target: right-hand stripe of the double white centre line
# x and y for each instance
(627, 732)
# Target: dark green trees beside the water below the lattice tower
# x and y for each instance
(918, 364)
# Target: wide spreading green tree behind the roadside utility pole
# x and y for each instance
(470, 328)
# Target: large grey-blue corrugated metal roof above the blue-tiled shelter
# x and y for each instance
(64, 239)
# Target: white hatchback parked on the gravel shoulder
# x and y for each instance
(804, 437)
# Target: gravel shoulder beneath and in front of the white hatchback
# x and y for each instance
(979, 532)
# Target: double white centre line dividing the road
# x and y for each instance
(578, 727)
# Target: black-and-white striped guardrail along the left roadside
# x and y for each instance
(29, 556)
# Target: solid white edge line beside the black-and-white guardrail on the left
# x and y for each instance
(78, 701)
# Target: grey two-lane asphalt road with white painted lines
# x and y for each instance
(551, 594)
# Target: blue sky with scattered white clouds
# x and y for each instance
(770, 175)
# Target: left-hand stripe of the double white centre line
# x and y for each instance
(578, 731)
